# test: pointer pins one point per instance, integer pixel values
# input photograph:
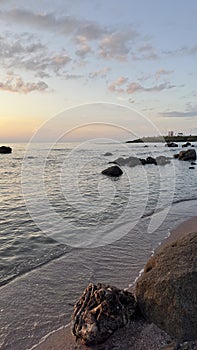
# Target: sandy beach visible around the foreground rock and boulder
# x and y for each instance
(138, 335)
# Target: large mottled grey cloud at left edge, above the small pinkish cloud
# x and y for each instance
(26, 52)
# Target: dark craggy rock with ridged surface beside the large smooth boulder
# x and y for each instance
(100, 311)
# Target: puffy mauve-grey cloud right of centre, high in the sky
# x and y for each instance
(117, 45)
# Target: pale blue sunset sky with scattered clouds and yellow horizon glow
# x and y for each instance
(57, 55)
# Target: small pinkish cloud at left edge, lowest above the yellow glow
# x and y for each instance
(18, 85)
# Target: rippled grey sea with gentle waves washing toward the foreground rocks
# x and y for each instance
(63, 225)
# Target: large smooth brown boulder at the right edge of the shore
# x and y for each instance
(166, 291)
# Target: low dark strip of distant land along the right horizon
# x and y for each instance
(165, 139)
